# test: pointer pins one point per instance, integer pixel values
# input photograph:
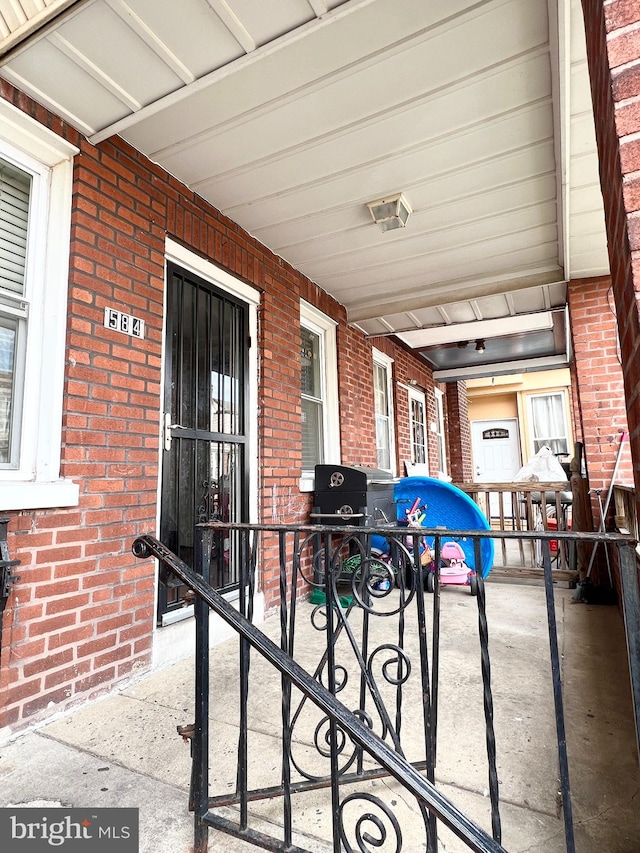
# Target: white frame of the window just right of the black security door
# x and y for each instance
(323, 326)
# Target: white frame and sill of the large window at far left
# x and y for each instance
(34, 482)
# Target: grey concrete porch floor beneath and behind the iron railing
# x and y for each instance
(124, 750)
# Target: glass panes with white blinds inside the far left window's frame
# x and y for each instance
(15, 191)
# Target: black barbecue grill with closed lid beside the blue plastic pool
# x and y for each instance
(353, 495)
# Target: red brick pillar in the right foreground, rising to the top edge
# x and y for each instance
(612, 53)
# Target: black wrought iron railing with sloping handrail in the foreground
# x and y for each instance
(431, 801)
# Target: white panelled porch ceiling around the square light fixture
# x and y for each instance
(291, 115)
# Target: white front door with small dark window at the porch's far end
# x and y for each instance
(496, 455)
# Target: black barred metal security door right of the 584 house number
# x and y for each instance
(204, 472)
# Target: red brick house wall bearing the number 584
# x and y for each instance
(81, 618)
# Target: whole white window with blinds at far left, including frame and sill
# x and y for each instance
(35, 207)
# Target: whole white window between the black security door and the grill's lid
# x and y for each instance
(319, 392)
